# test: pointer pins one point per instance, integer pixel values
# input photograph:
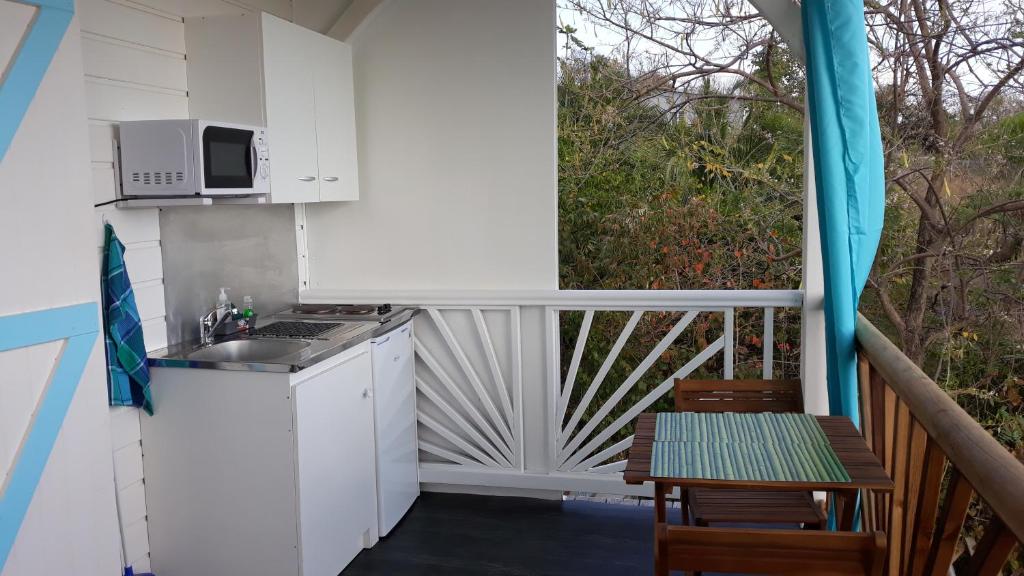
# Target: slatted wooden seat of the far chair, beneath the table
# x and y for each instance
(759, 507)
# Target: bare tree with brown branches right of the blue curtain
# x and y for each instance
(944, 68)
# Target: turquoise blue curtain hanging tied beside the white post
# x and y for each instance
(849, 177)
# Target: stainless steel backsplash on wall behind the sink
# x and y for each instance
(250, 250)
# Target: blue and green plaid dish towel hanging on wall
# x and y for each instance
(129, 375)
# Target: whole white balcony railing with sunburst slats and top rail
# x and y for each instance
(498, 408)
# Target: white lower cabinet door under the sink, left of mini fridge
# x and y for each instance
(336, 467)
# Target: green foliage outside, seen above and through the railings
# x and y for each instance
(711, 198)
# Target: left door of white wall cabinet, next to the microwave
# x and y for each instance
(291, 124)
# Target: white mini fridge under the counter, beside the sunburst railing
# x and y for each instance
(395, 426)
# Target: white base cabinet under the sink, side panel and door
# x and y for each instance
(253, 474)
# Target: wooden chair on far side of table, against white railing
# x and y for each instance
(758, 507)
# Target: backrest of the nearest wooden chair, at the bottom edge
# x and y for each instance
(773, 552)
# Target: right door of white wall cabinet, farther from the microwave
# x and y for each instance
(336, 122)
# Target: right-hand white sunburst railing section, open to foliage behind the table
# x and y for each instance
(595, 413)
